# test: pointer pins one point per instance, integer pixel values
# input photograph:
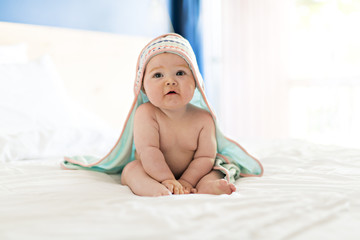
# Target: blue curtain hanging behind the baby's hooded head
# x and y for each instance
(184, 15)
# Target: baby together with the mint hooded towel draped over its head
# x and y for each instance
(171, 143)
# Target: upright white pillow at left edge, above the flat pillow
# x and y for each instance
(29, 96)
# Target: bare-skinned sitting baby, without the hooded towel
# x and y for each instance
(175, 140)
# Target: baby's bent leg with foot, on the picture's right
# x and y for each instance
(213, 183)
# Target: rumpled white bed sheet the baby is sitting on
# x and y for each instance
(307, 192)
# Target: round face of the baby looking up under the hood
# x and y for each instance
(168, 81)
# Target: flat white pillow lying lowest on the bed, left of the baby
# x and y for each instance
(55, 143)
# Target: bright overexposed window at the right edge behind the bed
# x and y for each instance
(324, 71)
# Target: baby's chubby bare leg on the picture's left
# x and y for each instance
(135, 177)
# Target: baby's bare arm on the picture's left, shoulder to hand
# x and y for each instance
(147, 142)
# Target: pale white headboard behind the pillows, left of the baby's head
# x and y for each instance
(98, 69)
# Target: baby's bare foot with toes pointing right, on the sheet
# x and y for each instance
(217, 187)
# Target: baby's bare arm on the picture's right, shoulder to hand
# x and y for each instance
(205, 154)
